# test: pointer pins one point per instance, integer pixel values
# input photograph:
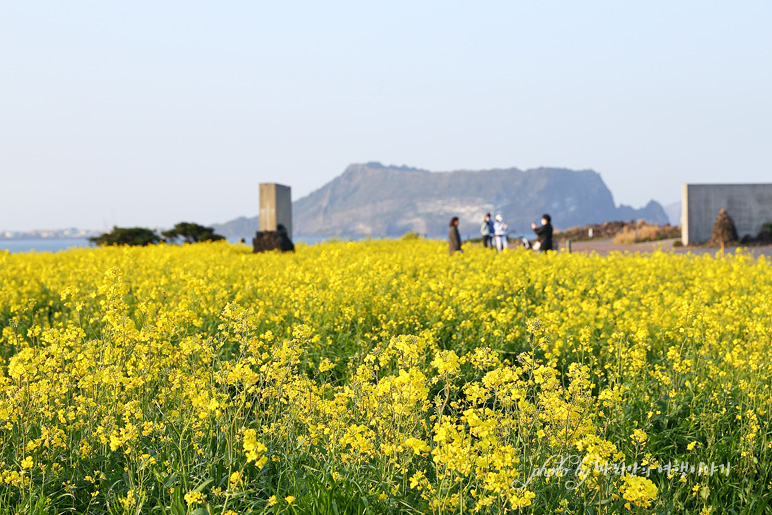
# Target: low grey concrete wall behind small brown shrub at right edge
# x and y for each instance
(748, 205)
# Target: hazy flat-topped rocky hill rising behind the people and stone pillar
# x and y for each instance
(375, 200)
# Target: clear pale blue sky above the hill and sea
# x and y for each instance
(149, 113)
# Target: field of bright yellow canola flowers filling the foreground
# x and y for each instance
(383, 377)
